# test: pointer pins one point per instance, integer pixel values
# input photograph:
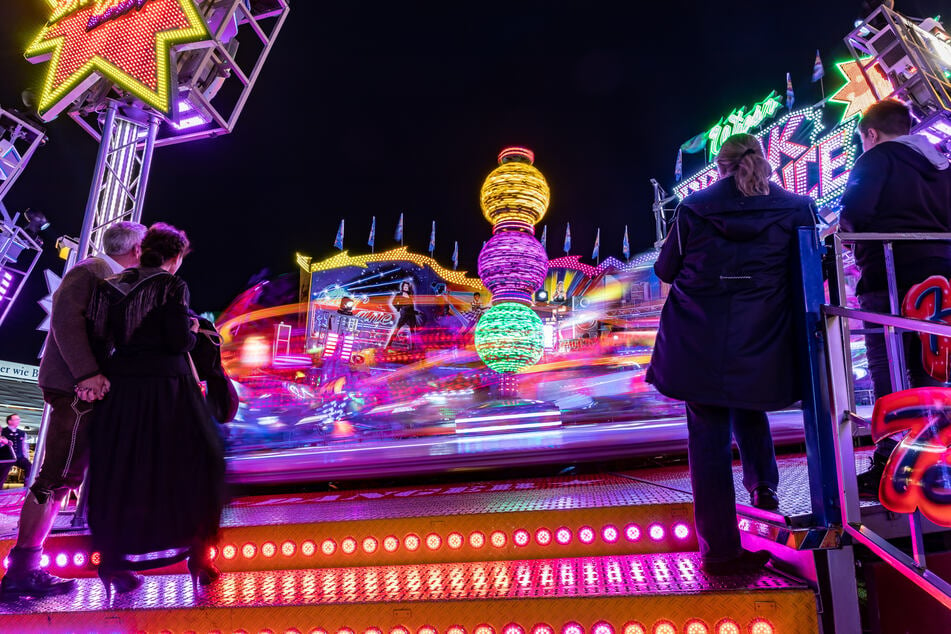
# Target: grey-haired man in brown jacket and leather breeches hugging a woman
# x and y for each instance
(71, 381)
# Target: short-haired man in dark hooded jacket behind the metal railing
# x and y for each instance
(901, 184)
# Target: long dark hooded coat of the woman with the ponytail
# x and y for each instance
(726, 334)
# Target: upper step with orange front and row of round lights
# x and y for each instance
(572, 516)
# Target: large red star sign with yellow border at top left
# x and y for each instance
(126, 41)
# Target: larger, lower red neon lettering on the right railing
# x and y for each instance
(916, 470)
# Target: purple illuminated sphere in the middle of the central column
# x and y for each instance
(513, 265)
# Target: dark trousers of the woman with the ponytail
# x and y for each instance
(710, 453)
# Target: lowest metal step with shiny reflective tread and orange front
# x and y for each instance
(662, 593)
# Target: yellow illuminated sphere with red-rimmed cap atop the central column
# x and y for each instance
(515, 190)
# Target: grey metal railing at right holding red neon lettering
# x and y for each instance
(837, 335)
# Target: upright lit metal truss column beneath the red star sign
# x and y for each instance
(121, 176)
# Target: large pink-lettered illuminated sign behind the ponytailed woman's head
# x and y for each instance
(803, 162)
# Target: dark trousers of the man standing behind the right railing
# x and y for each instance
(877, 355)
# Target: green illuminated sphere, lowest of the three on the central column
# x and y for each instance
(509, 337)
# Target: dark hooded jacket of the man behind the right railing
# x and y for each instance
(894, 189)
